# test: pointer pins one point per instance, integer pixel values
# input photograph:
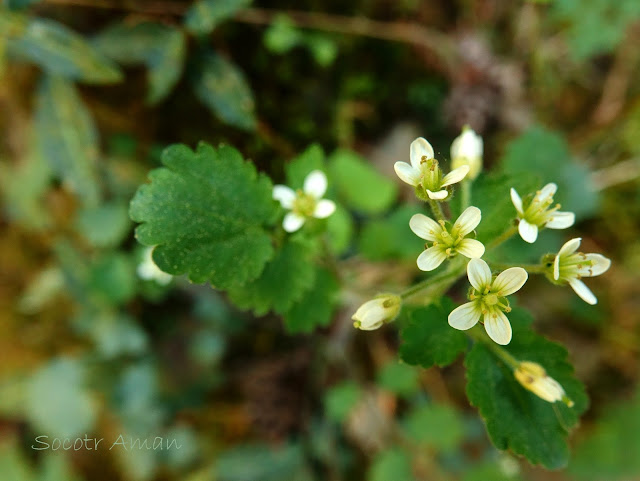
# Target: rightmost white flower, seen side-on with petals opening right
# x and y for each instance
(570, 266)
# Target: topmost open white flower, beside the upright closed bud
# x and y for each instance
(425, 174)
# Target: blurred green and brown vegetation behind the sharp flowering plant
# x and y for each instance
(91, 92)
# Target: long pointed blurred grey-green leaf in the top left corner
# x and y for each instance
(61, 51)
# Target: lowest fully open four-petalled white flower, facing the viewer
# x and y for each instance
(488, 300)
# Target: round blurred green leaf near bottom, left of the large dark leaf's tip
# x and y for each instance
(438, 426)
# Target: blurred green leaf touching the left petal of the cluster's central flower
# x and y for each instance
(391, 238)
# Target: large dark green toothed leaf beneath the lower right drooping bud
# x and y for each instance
(516, 418)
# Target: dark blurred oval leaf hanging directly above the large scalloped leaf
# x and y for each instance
(222, 87)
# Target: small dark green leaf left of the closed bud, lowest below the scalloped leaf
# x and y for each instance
(316, 307)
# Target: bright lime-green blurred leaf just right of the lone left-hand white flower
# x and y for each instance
(361, 186)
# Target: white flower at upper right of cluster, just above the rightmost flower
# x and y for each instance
(539, 213)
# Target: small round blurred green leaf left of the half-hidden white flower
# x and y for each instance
(112, 279)
